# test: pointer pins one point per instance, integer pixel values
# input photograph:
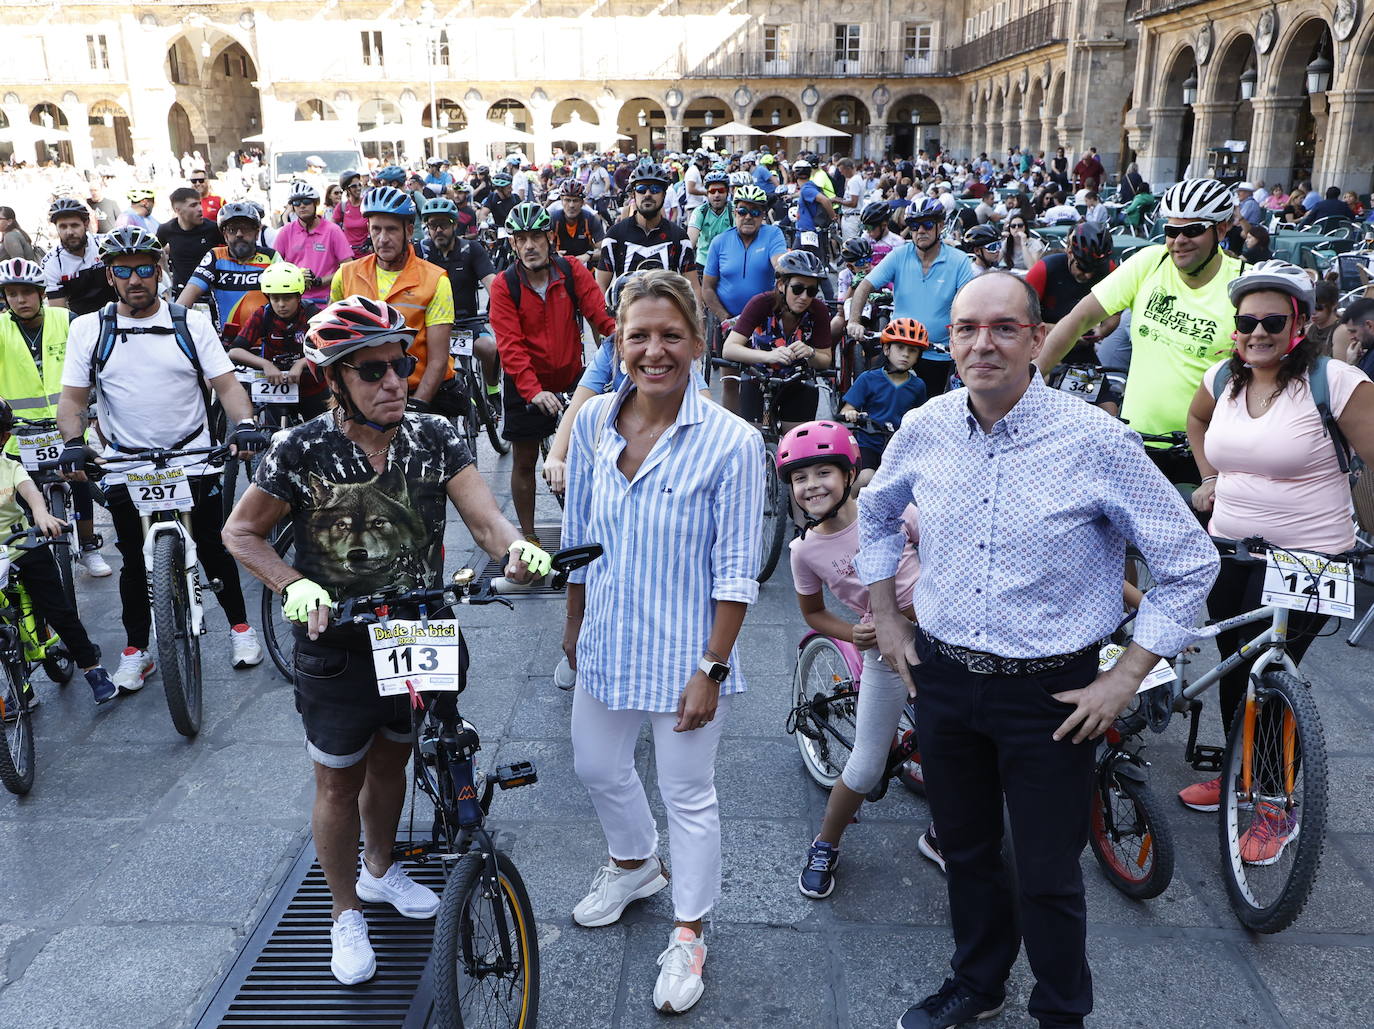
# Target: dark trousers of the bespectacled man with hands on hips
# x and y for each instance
(984, 738)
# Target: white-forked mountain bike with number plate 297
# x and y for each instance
(163, 497)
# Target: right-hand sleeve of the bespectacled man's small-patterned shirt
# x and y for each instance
(1148, 510)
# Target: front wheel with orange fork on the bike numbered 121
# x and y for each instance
(1274, 796)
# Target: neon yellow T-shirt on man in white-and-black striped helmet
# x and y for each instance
(1177, 335)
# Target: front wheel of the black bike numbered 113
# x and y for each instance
(486, 961)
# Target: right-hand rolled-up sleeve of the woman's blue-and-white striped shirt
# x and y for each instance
(739, 505)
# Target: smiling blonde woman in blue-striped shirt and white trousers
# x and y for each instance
(673, 487)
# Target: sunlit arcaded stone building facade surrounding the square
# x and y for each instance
(97, 79)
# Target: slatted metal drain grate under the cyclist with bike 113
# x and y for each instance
(282, 976)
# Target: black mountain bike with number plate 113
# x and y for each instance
(484, 965)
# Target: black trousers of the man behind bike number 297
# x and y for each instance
(207, 524)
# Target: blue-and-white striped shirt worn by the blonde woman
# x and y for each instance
(684, 535)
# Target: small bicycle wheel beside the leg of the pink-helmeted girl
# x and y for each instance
(826, 701)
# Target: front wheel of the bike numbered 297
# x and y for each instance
(179, 648)
